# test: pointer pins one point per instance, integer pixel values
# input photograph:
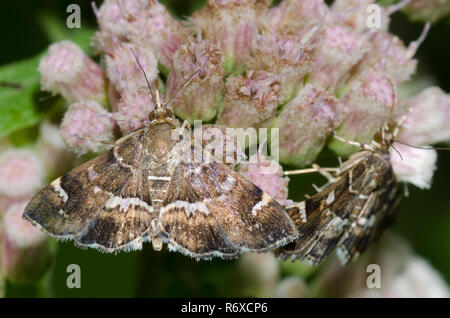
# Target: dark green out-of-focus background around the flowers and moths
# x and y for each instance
(28, 27)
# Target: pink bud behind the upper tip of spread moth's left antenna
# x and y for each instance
(124, 71)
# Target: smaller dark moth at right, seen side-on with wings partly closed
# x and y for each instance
(350, 212)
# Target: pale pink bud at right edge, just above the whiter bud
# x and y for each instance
(428, 121)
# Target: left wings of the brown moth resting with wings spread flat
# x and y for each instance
(99, 204)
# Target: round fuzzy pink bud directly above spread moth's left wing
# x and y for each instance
(87, 126)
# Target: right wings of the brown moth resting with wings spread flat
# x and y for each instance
(211, 210)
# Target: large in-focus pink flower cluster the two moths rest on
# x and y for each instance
(302, 66)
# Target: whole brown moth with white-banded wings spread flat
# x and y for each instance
(142, 189)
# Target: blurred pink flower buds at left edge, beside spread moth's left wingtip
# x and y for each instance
(24, 250)
